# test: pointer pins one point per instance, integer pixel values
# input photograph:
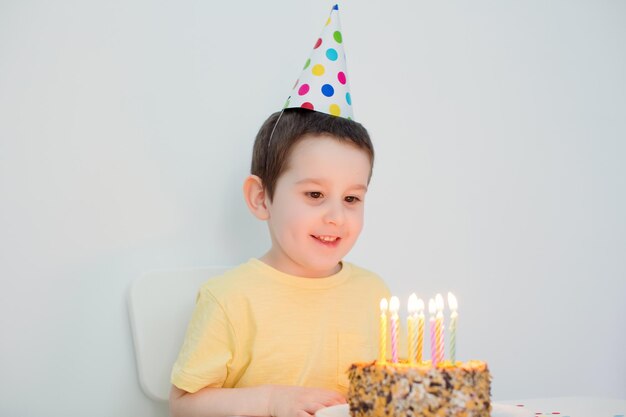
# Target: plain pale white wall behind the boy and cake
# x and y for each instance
(126, 131)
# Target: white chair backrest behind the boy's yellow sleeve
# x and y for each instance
(160, 305)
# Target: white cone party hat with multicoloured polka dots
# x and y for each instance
(323, 85)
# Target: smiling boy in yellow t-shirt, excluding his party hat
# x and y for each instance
(274, 336)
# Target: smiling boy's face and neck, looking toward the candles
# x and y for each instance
(317, 211)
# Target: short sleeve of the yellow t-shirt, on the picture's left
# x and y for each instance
(207, 349)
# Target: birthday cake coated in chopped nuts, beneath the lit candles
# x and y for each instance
(403, 390)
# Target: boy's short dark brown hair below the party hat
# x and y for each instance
(269, 158)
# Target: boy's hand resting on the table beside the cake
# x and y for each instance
(288, 401)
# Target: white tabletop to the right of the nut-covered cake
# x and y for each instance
(573, 406)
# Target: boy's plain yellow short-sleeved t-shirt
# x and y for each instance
(255, 325)
